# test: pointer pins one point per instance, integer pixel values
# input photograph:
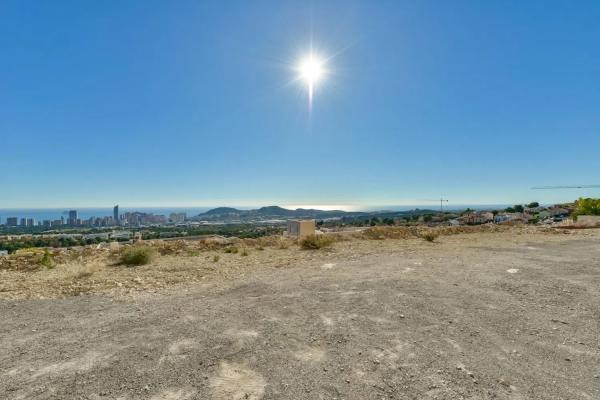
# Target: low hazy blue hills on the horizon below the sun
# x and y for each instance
(276, 212)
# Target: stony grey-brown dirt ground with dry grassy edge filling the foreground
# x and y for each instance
(505, 315)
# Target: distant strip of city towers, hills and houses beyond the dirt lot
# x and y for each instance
(18, 232)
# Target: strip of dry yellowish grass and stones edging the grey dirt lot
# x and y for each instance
(91, 269)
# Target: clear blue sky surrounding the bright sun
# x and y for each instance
(190, 103)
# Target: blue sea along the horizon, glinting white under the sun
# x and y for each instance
(40, 214)
